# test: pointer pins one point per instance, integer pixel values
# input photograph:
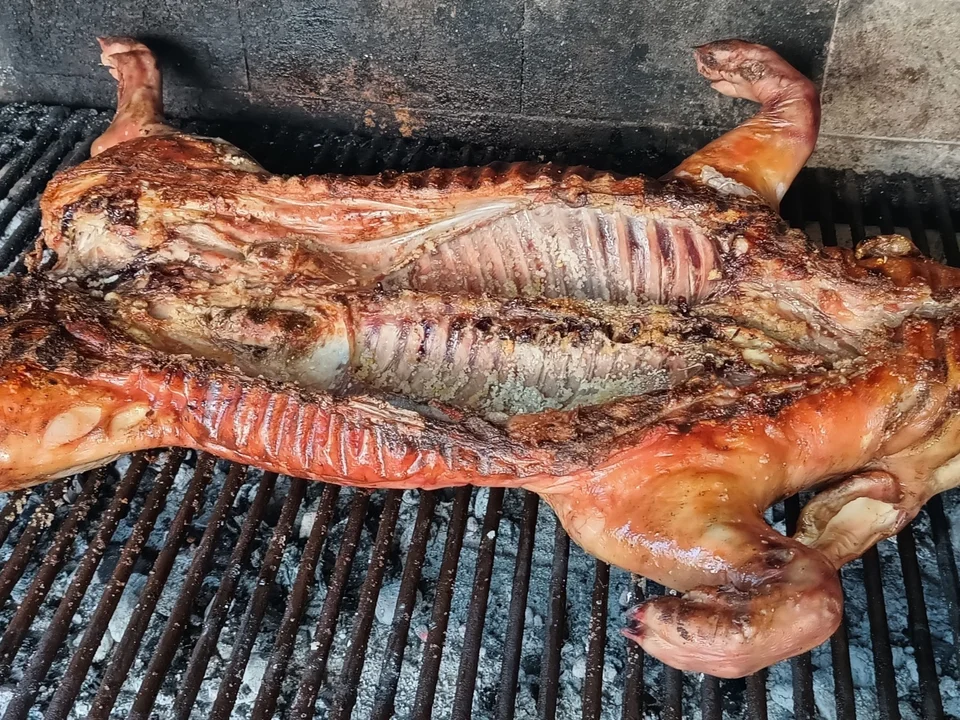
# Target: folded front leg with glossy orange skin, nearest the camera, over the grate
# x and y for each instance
(750, 596)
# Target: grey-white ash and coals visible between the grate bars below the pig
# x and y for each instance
(579, 589)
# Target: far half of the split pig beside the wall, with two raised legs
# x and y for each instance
(518, 230)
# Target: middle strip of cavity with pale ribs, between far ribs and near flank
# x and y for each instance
(481, 354)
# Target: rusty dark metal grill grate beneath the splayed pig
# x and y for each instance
(176, 585)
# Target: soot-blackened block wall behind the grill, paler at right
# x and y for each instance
(590, 75)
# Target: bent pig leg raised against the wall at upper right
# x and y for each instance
(763, 155)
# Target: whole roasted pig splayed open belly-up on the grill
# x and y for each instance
(659, 360)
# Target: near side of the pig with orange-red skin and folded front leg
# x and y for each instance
(671, 485)
